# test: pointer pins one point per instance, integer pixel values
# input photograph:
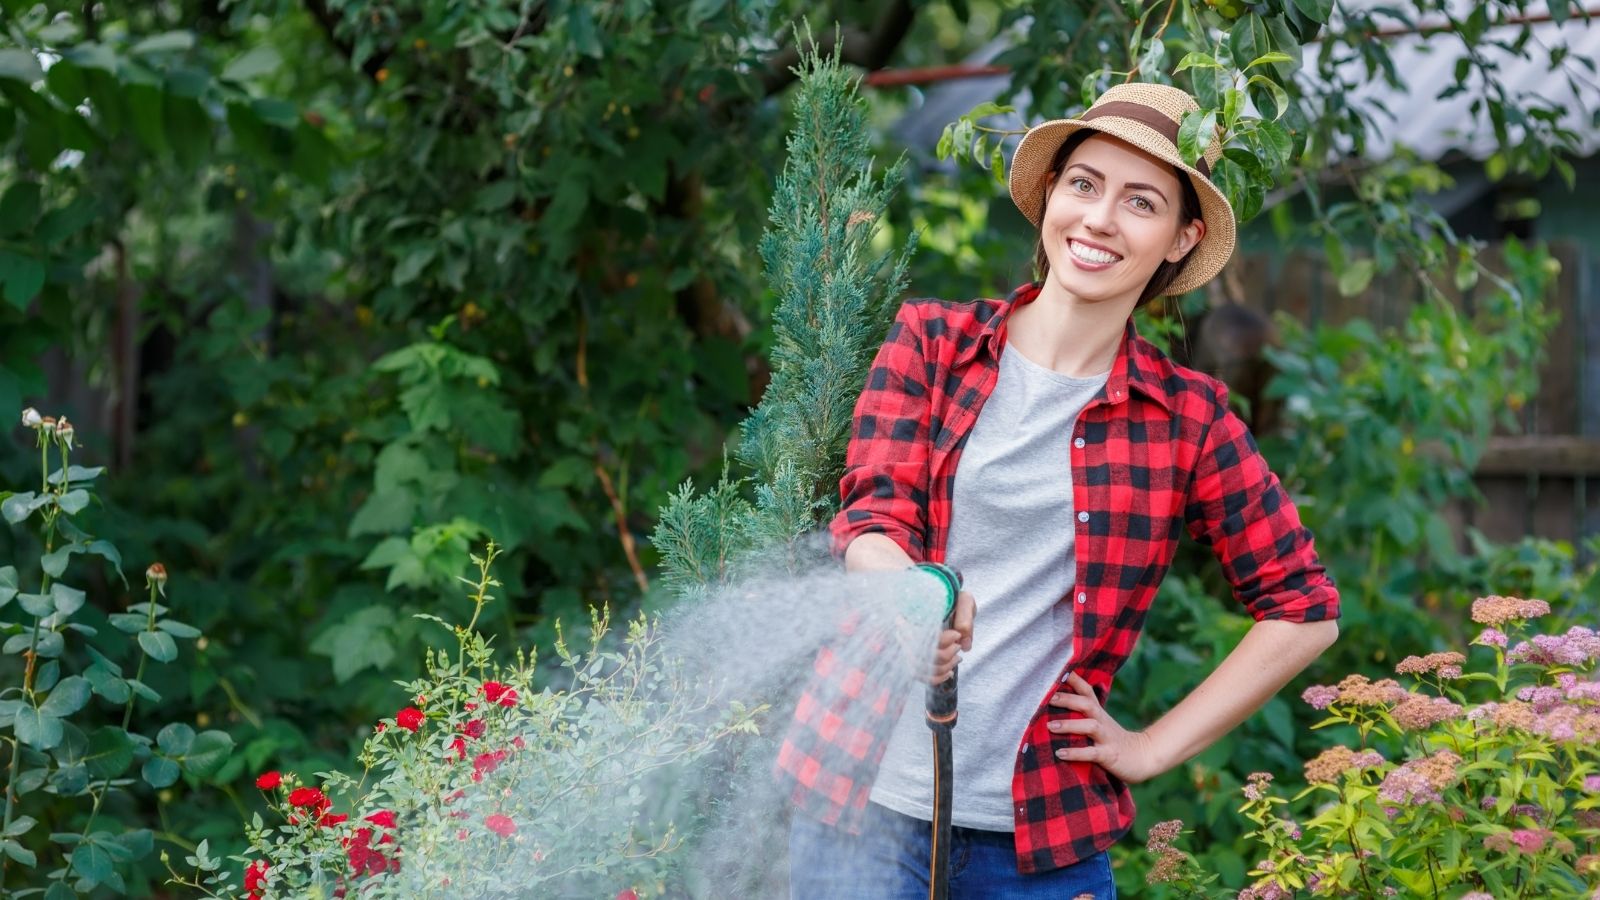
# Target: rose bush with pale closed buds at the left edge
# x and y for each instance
(70, 755)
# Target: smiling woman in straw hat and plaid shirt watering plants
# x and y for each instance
(1047, 452)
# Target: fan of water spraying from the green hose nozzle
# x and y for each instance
(655, 769)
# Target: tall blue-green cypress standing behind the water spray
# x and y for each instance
(836, 300)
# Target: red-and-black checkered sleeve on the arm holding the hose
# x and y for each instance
(886, 484)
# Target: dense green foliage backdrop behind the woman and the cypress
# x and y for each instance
(353, 286)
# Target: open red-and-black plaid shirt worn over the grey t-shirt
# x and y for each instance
(1158, 451)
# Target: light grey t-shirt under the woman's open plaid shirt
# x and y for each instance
(1012, 537)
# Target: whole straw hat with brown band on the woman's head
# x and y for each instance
(1148, 118)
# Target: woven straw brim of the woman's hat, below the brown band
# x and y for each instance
(1031, 166)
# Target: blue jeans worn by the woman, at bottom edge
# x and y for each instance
(890, 861)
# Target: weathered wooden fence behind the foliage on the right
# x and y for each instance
(1543, 481)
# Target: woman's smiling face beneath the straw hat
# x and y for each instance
(1111, 219)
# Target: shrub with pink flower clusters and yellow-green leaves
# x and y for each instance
(1465, 802)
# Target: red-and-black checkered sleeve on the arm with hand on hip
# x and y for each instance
(1239, 510)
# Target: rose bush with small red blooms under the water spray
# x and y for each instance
(486, 787)
